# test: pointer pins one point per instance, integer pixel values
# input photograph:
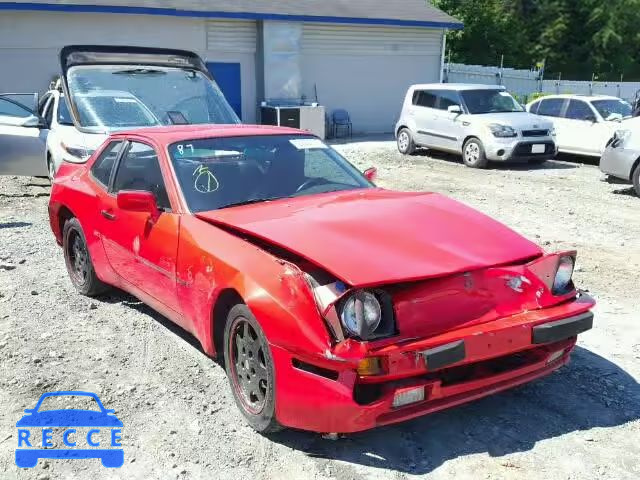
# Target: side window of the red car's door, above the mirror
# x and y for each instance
(139, 169)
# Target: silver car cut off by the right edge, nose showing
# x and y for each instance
(621, 157)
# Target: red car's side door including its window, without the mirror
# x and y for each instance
(140, 249)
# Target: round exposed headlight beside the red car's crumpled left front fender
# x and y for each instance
(361, 314)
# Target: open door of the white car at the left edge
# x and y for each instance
(23, 136)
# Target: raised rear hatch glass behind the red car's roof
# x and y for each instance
(127, 96)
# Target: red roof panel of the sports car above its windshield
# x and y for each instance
(175, 133)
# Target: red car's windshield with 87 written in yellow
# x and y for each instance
(219, 173)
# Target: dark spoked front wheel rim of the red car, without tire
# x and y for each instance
(249, 366)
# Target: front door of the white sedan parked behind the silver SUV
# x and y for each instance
(583, 132)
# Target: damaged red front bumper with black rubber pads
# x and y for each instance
(495, 356)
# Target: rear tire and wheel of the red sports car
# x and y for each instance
(78, 260)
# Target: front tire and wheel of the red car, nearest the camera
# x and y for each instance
(249, 367)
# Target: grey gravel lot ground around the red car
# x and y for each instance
(180, 421)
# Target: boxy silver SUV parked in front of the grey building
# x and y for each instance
(482, 122)
